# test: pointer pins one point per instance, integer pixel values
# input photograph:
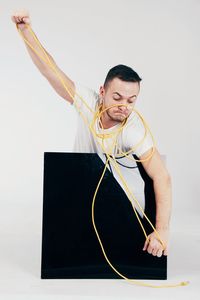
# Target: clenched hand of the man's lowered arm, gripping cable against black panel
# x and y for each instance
(153, 244)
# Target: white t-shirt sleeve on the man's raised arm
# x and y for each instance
(85, 99)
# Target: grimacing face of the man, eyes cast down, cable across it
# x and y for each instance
(119, 92)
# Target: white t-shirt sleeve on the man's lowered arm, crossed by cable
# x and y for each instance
(134, 134)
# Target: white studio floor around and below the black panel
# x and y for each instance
(20, 254)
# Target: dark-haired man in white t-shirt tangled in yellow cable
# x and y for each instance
(121, 87)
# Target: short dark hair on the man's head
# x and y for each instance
(122, 72)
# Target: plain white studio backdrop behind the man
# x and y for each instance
(158, 39)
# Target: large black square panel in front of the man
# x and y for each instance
(70, 248)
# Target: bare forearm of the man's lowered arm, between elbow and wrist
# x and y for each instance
(163, 195)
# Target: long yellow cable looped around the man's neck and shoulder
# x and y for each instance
(110, 158)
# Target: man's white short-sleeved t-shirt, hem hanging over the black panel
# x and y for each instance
(131, 134)
